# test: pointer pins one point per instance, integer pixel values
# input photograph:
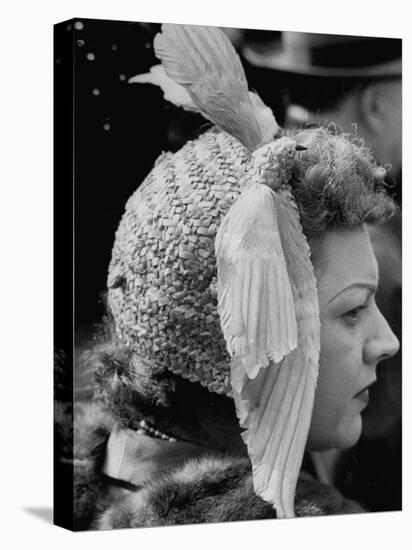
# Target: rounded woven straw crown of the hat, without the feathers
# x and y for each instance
(162, 276)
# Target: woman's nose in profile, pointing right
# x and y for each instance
(382, 343)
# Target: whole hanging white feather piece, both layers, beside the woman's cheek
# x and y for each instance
(274, 382)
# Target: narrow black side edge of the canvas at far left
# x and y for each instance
(63, 248)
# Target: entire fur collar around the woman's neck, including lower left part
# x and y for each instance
(205, 489)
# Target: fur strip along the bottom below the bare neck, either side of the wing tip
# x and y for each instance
(212, 490)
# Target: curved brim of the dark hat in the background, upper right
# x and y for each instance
(283, 62)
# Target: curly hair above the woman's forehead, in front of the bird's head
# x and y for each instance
(337, 183)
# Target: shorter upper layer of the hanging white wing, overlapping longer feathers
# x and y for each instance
(253, 283)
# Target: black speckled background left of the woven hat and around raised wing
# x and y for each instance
(119, 131)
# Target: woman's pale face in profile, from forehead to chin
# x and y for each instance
(354, 337)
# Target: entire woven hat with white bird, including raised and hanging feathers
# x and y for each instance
(210, 275)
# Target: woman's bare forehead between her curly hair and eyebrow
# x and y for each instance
(345, 259)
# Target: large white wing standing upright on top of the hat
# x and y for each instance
(204, 62)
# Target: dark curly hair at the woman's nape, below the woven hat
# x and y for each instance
(133, 390)
